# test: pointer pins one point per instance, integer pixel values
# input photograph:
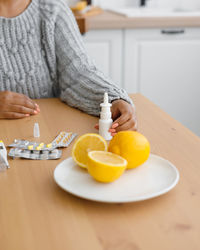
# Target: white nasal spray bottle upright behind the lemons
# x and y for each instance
(105, 121)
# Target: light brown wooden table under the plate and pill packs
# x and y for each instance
(35, 214)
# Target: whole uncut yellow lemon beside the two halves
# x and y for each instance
(132, 146)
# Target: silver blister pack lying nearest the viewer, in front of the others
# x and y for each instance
(35, 154)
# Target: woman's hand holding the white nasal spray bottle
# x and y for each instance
(124, 117)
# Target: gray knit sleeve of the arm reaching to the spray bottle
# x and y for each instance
(81, 84)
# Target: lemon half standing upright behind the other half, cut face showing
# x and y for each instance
(85, 144)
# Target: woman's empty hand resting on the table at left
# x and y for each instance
(14, 105)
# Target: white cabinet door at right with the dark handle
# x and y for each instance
(165, 67)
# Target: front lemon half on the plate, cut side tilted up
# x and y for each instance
(105, 166)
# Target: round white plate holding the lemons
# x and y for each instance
(155, 177)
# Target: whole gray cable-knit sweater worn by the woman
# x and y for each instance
(42, 55)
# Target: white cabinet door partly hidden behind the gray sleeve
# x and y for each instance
(105, 48)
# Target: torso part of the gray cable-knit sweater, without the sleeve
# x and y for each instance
(27, 52)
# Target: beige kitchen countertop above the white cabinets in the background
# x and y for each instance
(110, 20)
